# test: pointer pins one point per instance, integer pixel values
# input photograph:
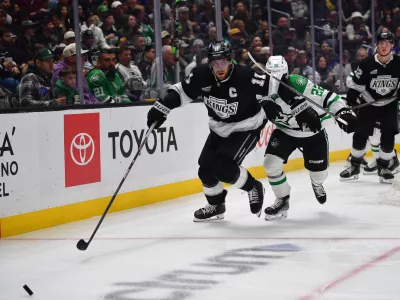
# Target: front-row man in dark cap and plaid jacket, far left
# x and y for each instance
(35, 89)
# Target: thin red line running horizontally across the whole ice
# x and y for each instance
(209, 238)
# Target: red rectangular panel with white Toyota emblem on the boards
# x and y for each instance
(82, 149)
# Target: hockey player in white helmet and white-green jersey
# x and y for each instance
(289, 136)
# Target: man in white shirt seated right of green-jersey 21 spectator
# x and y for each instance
(129, 71)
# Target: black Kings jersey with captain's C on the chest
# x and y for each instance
(233, 104)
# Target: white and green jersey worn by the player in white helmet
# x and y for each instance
(327, 99)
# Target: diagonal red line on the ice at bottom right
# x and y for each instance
(322, 289)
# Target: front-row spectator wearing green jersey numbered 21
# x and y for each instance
(104, 81)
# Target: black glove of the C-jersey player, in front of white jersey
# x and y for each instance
(305, 115)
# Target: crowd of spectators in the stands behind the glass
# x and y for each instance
(38, 51)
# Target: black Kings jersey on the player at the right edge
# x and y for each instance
(374, 82)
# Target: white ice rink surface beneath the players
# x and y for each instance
(348, 248)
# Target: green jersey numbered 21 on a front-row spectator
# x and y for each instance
(104, 89)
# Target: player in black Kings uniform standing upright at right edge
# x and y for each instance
(376, 81)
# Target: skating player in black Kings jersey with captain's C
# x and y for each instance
(232, 95)
